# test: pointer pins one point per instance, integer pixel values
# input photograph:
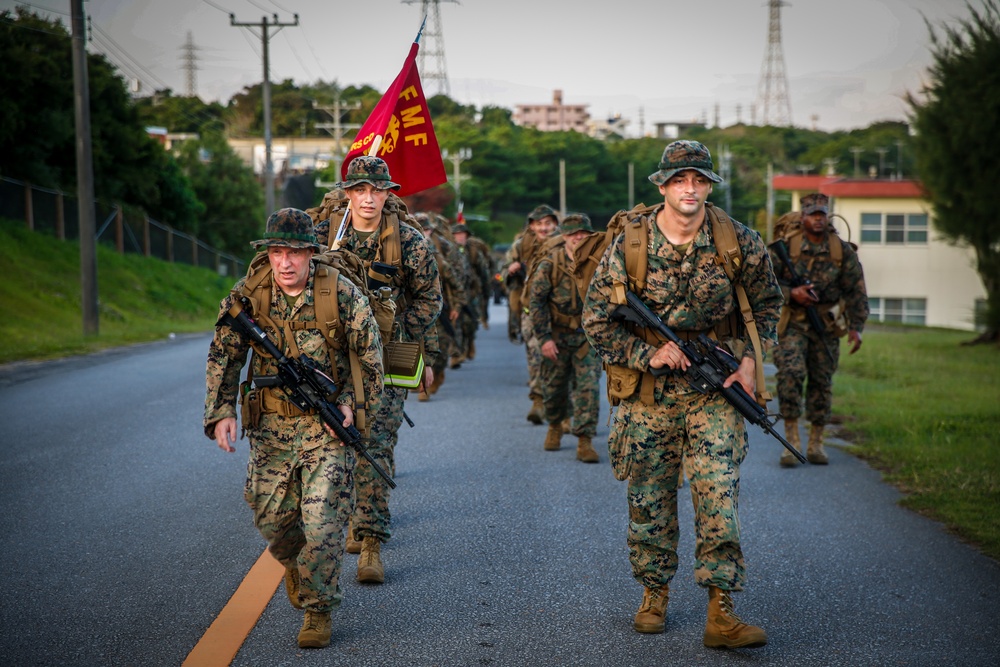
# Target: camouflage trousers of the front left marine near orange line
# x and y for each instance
(301, 500)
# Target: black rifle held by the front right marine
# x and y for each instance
(710, 366)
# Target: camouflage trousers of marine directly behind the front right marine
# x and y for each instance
(557, 379)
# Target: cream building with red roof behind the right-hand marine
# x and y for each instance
(912, 273)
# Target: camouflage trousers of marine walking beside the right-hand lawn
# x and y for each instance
(801, 359)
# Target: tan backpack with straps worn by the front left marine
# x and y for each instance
(329, 266)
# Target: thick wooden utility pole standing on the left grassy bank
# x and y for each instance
(84, 174)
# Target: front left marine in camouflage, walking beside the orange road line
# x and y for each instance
(300, 478)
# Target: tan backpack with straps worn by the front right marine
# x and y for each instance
(728, 255)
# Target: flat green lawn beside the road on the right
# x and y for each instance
(925, 410)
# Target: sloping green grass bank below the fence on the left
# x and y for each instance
(140, 299)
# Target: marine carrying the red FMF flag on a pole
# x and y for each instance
(417, 292)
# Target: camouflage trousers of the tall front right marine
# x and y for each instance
(709, 436)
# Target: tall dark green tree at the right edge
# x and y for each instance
(957, 135)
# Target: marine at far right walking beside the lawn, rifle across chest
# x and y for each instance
(804, 357)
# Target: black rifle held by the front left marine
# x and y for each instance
(304, 383)
